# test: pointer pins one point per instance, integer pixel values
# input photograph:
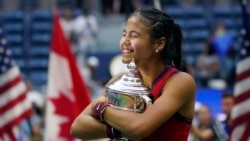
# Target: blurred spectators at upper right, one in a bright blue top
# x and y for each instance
(217, 60)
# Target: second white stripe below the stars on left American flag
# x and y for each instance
(12, 93)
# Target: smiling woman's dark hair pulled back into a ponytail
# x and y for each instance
(162, 25)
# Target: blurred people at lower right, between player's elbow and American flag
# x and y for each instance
(208, 127)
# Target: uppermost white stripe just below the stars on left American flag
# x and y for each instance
(9, 75)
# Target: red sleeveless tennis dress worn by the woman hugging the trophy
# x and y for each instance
(177, 127)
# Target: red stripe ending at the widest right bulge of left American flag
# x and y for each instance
(16, 121)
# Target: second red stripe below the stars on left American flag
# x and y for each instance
(13, 103)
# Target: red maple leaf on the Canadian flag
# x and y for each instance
(64, 108)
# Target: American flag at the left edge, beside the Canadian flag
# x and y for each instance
(13, 104)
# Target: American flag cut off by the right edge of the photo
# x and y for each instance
(241, 111)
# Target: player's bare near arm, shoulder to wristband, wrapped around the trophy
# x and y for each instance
(178, 97)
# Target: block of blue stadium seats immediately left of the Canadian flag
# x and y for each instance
(40, 40)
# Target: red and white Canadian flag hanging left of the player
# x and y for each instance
(67, 94)
